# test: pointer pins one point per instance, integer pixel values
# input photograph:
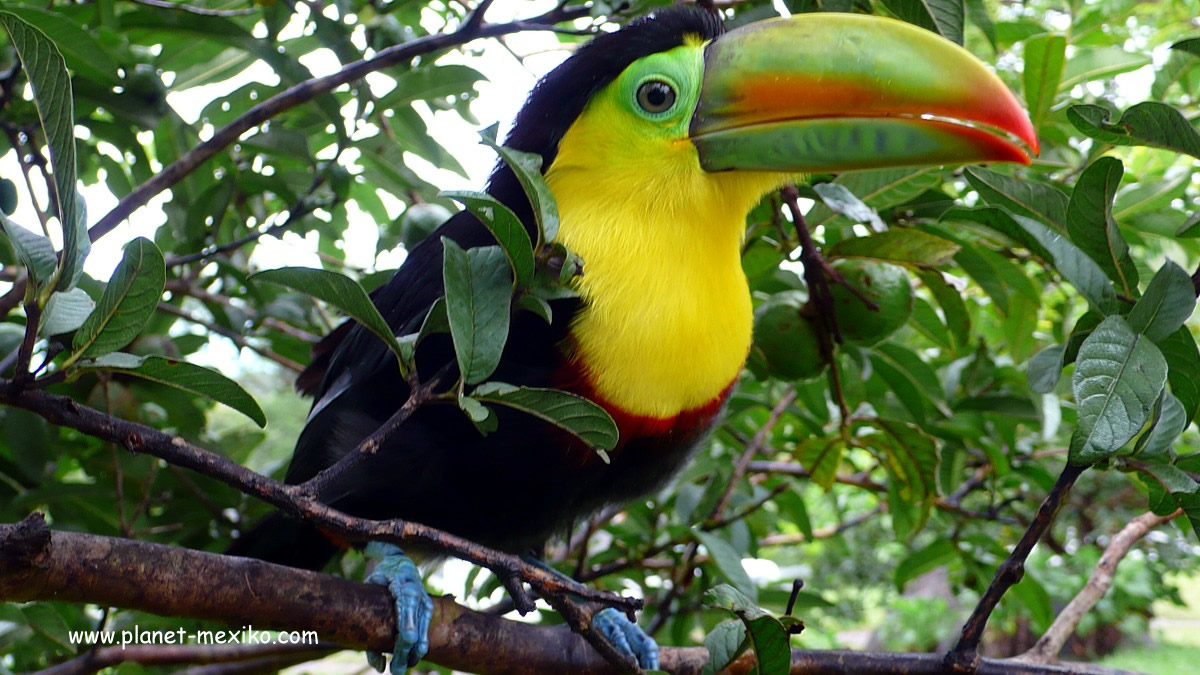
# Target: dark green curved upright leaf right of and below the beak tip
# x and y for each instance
(1091, 225)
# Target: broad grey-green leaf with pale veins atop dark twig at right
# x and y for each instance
(1119, 377)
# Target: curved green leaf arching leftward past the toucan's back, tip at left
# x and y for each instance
(341, 292)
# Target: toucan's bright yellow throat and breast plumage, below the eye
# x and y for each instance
(668, 319)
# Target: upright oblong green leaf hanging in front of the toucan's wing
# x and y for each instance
(479, 292)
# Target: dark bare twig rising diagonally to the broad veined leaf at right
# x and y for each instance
(965, 655)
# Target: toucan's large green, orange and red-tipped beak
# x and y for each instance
(824, 93)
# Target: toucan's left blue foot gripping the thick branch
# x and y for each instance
(415, 607)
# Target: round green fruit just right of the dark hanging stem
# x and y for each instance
(886, 285)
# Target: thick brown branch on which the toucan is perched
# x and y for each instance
(37, 564)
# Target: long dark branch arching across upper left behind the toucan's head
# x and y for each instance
(308, 91)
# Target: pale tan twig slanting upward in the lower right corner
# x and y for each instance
(1048, 647)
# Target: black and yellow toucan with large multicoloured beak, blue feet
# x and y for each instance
(657, 141)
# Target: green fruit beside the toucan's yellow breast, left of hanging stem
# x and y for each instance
(788, 342)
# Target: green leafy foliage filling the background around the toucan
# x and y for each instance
(1049, 322)
